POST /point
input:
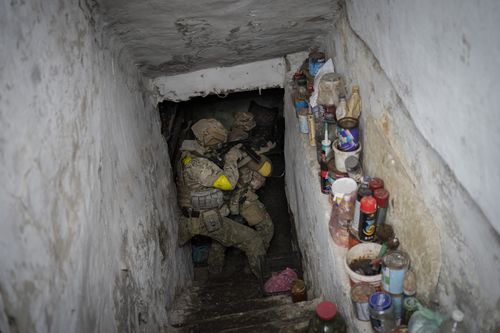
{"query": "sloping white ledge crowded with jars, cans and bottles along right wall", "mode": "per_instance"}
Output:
(340, 212)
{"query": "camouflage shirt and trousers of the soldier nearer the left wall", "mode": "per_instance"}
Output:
(200, 174)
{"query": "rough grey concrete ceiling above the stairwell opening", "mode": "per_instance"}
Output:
(168, 37)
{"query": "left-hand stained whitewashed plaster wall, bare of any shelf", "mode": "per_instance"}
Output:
(88, 208)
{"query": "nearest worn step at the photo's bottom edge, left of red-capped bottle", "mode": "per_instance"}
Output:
(272, 317)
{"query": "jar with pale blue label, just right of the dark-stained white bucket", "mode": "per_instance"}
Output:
(394, 267)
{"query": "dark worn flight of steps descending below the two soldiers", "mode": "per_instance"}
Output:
(236, 304)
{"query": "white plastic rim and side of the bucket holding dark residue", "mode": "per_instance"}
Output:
(363, 251)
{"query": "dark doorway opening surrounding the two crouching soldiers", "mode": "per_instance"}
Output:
(267, 107)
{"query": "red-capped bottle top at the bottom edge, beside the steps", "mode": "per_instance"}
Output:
(326, 319)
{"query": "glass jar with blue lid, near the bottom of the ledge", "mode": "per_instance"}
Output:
(382, 313)
